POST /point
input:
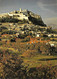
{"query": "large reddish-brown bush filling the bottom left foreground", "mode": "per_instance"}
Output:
(11, 67)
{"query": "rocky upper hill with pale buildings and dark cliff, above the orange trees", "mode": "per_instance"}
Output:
(23, 23)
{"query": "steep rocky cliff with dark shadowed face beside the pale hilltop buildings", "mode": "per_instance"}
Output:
(36, 19)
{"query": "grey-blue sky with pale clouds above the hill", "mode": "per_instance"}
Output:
(47, 9)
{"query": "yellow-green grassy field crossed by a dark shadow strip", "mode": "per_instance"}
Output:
(40, 60)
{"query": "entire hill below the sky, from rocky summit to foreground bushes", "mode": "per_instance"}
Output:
(28, 48)
